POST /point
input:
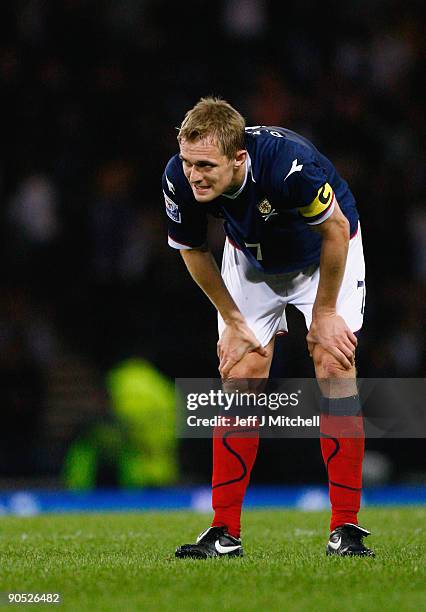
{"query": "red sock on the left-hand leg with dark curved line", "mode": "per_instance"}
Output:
(234, 453)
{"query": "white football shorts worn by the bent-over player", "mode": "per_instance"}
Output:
(262, 298)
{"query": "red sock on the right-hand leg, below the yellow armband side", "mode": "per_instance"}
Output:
(343, 460)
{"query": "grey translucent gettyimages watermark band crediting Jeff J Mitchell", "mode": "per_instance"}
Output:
(390, 408)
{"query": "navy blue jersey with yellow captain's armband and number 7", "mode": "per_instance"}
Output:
(288, 188)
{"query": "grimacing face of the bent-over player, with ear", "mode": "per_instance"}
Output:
(209, 172)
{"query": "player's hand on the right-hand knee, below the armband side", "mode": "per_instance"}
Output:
(332, 333)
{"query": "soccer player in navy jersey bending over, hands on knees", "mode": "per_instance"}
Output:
(292, 237)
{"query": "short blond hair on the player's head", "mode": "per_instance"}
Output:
(214, 118)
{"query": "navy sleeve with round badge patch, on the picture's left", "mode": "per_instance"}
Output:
(186, 219)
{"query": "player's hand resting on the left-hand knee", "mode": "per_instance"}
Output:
(235, 342)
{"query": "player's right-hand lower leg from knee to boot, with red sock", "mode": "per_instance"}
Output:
(342, 446)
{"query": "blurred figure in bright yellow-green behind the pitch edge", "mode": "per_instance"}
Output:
(138, 445)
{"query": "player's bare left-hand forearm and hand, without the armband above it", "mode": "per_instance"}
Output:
(237, 338)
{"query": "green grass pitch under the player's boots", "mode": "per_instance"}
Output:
(125, 562)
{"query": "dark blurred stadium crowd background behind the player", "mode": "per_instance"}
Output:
(97, 314)
